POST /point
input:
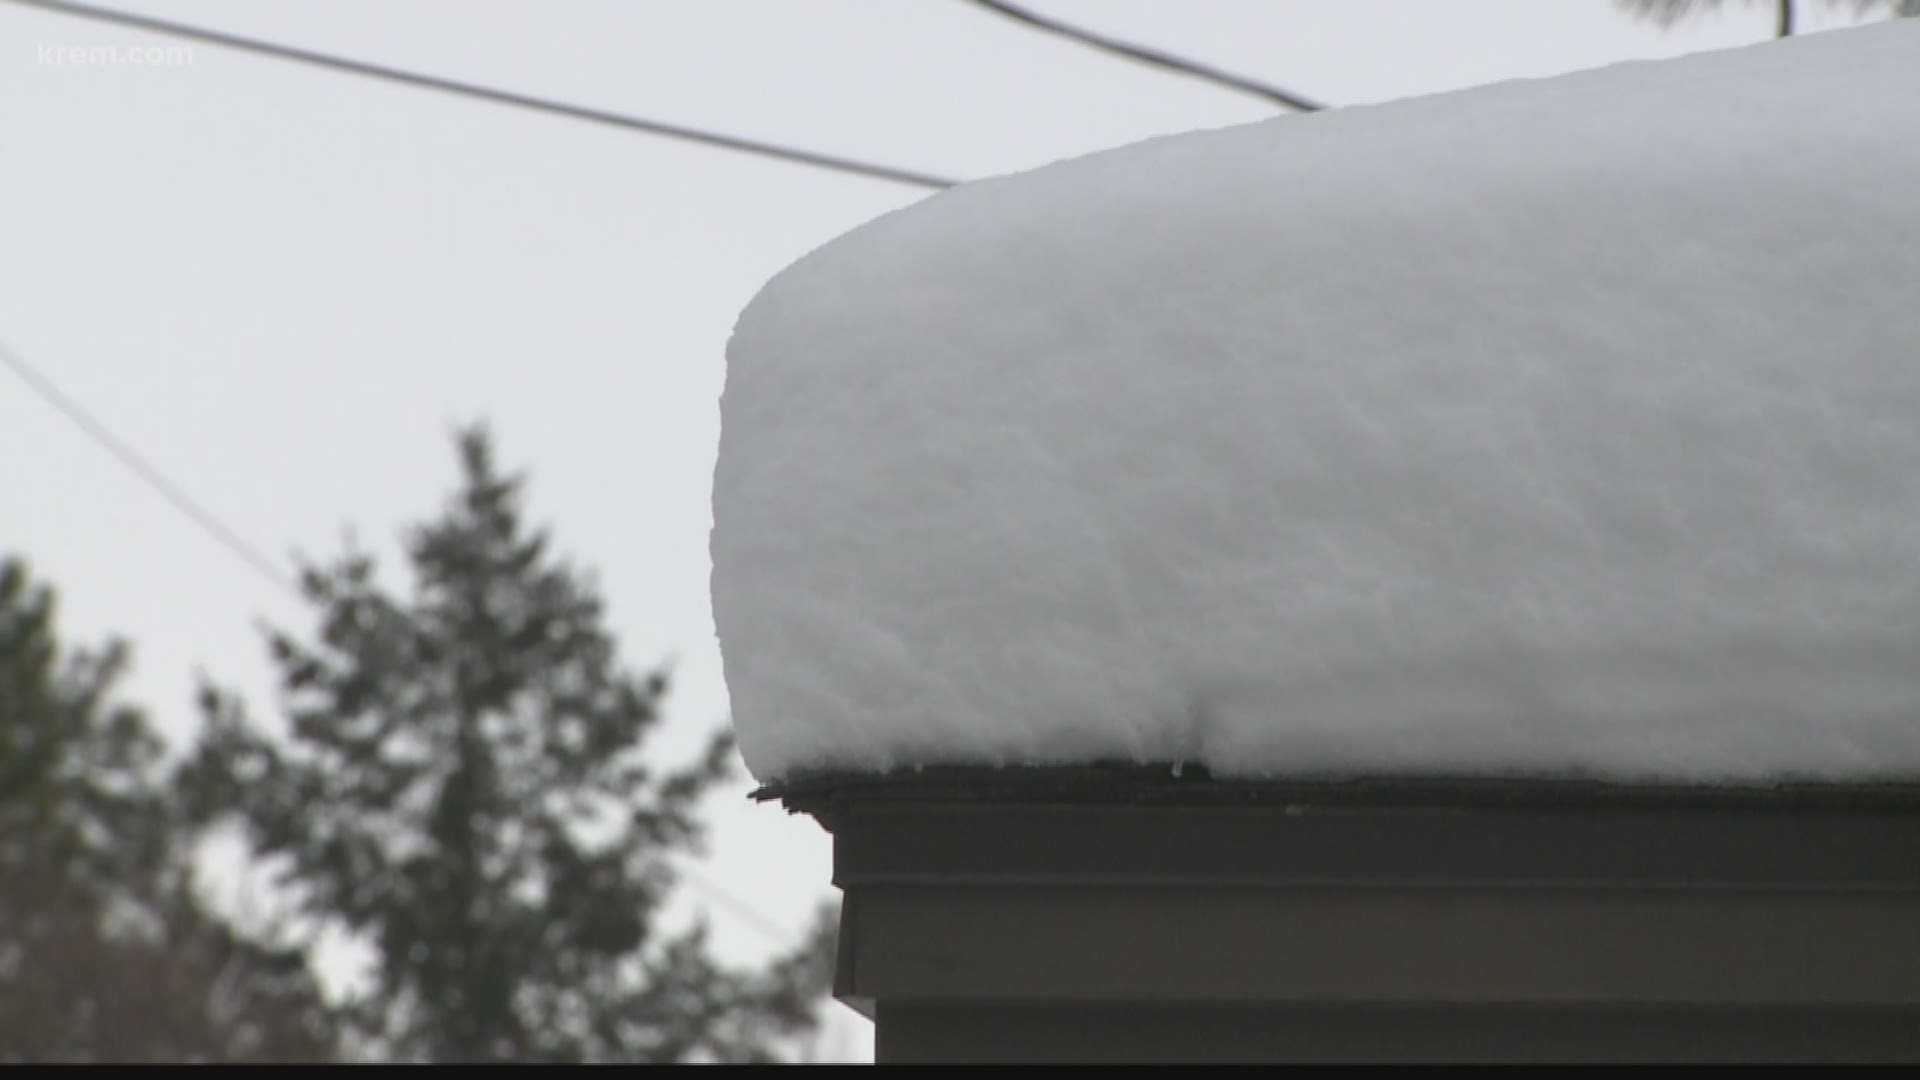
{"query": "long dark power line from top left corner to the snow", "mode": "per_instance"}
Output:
(794, 157)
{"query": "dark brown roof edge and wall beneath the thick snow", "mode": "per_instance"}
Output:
(1136, 916)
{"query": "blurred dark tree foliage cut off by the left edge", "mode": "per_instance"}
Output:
(105, 950)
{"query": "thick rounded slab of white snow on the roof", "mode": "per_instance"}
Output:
(1564, 428)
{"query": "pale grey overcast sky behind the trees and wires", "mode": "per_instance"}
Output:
(287, 287)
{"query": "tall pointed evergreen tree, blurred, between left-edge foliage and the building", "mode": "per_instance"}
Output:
(464, 787)
